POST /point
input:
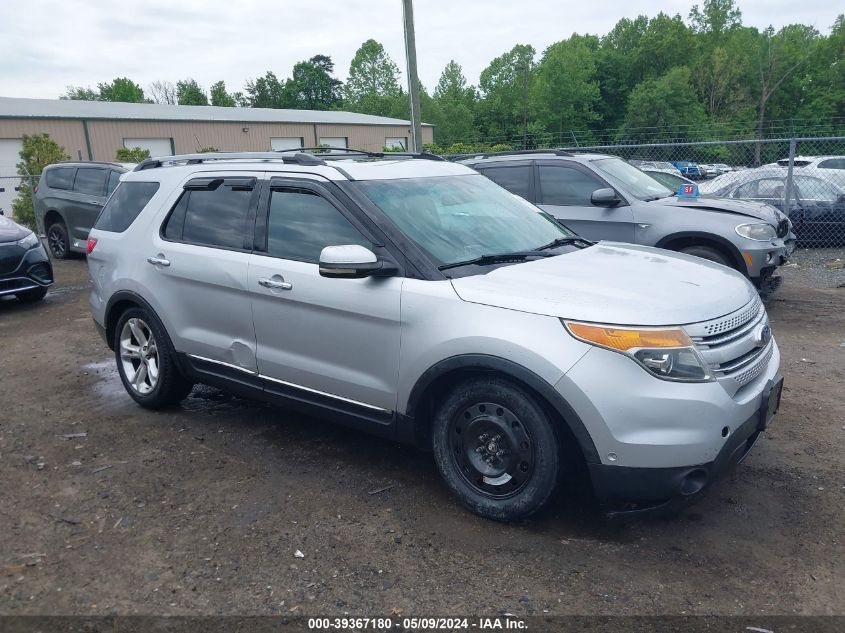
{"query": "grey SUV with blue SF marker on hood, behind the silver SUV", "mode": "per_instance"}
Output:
(603, 197)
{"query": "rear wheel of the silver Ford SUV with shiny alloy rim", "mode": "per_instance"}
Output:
(146, 361)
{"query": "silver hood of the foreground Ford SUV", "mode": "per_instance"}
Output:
(622, 284)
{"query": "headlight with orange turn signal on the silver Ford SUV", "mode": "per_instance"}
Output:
(666, 353)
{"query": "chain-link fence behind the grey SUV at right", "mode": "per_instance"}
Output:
(803, 177)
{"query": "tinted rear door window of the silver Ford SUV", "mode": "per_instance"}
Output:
(213, 217)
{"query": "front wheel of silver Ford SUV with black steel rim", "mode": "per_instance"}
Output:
(496, 449)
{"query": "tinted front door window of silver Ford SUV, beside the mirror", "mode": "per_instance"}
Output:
(302, 223)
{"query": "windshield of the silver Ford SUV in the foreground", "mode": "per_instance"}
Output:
(459, 218)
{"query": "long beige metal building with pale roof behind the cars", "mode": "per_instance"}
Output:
(94, 130)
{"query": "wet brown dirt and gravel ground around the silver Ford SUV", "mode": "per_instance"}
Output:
(110, 509)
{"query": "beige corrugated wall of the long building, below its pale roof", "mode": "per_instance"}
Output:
(188, 136)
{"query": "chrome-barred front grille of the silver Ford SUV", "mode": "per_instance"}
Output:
(735, 346)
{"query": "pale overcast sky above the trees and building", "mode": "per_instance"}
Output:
(46, 45)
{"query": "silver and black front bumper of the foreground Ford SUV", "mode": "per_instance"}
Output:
(661, 443)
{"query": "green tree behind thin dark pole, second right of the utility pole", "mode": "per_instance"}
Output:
(505, 109)
